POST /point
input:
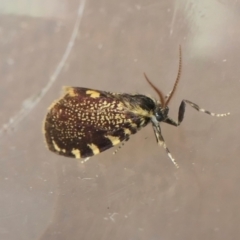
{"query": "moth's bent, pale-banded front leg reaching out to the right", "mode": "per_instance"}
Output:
(181, 112)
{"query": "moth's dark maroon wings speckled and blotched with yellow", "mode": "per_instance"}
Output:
(85, 122)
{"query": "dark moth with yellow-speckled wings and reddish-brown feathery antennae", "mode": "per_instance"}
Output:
(85, 122)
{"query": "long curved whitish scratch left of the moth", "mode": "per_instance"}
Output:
(29, 103)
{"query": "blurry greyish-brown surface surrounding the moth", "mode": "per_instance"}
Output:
(138, 193)
